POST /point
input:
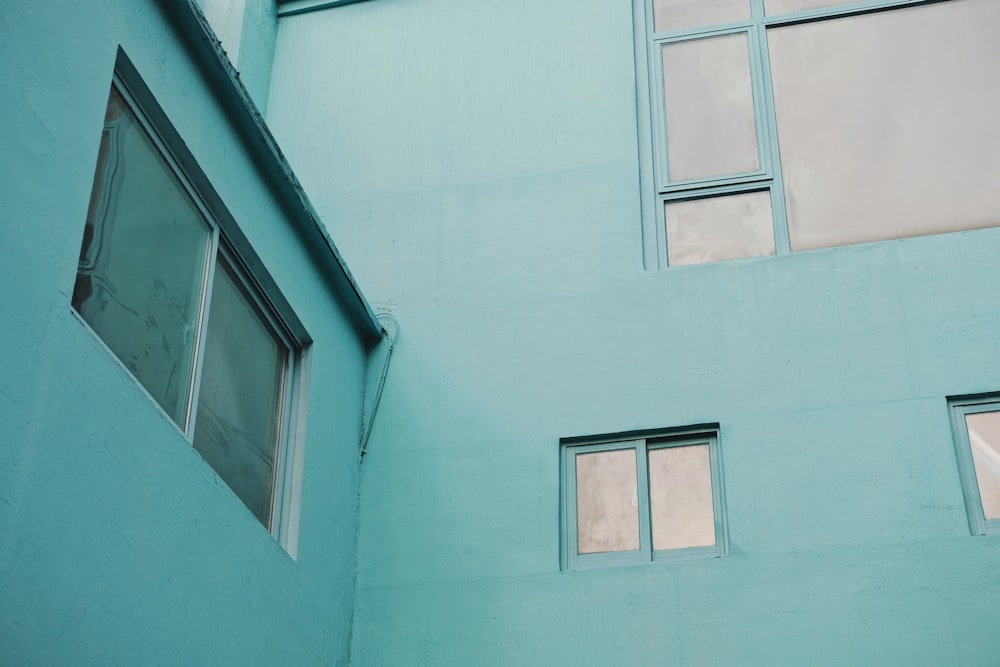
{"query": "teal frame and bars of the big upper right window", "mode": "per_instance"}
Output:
(656, 190)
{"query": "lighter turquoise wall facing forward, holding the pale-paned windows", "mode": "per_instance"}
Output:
(477, 163)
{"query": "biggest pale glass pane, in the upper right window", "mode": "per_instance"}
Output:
(887, 123)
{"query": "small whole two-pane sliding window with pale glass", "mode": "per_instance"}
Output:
(642, 497)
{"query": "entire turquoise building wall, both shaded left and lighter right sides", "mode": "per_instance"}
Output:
(478, 165)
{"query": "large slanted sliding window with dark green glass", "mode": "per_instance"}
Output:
(163, 285)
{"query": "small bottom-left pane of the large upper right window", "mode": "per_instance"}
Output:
(719, 228)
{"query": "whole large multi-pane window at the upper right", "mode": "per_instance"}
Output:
(784, 125)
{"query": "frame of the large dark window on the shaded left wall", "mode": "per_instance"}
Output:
(227, 244)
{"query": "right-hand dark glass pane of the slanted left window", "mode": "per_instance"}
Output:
(241, 395)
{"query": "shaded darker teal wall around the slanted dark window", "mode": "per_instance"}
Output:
(118, 544)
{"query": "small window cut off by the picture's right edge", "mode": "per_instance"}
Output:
(975, 424)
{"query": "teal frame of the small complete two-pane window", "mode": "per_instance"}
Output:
(642, 442)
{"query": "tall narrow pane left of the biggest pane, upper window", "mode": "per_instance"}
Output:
(709, 105)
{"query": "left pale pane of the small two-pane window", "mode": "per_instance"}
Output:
(607, 504)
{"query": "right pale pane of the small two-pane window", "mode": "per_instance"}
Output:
(680, 497)
